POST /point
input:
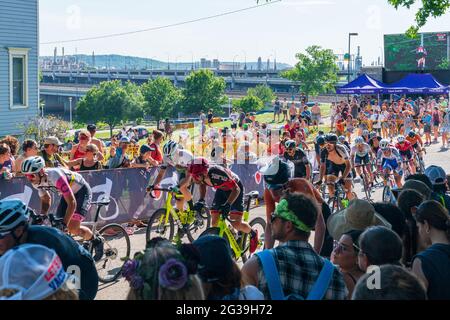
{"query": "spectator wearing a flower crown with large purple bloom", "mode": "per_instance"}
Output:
(162, 272)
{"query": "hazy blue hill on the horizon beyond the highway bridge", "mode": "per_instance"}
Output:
(129, 62)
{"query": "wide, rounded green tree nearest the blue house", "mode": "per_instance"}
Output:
(111, 102)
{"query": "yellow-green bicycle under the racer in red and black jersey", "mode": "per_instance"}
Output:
(239, 242)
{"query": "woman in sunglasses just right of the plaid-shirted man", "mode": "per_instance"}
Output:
(345, 255)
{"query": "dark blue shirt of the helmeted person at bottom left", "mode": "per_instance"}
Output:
(71, 254)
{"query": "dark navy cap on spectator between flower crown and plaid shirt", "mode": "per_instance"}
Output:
(215, 258)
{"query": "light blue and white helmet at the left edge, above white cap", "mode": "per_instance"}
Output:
(12, 213)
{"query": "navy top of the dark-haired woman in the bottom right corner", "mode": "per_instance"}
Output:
(435, 266)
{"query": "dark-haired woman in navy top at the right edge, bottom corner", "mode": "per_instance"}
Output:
(432, 265)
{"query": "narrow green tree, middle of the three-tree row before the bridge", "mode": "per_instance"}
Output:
(161, 98)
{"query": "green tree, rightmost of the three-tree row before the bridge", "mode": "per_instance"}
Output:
(203, 91)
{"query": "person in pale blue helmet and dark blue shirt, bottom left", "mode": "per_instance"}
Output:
(15, 230)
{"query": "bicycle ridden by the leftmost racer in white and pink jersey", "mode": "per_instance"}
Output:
(110, 258)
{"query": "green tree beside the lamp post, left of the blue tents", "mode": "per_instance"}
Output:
(316, 71)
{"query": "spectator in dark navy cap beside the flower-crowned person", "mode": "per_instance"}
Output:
(220, 275)
